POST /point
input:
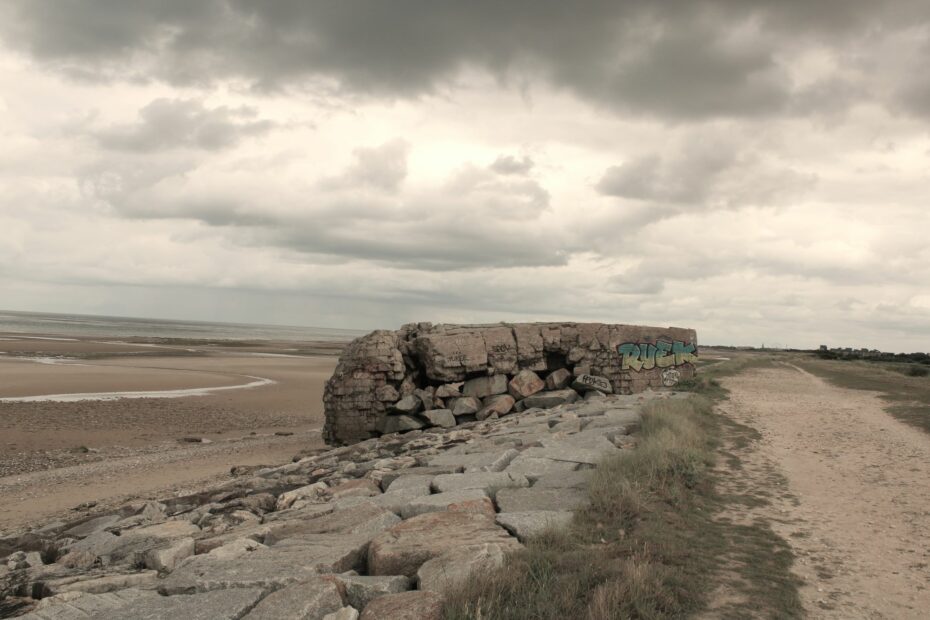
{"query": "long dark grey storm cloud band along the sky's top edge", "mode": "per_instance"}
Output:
(672, 59)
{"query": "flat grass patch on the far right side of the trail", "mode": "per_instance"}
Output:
(906, 392)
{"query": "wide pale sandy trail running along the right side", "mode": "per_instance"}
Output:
(859, 518)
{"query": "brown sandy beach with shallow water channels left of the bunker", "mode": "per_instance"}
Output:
(86, 420)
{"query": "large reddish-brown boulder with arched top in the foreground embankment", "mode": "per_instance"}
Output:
(402, 549)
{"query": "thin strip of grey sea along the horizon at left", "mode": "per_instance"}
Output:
(79, 325)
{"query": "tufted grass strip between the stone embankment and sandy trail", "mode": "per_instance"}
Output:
(647, 545)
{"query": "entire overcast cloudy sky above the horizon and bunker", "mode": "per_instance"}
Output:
(755, 170)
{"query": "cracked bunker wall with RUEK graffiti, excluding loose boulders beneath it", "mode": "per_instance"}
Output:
(381, 368)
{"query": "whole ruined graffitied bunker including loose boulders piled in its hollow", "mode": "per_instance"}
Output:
(426, 375)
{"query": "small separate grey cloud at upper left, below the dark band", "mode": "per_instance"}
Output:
(176, 123)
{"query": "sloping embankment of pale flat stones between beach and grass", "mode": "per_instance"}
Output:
(381, 528)
